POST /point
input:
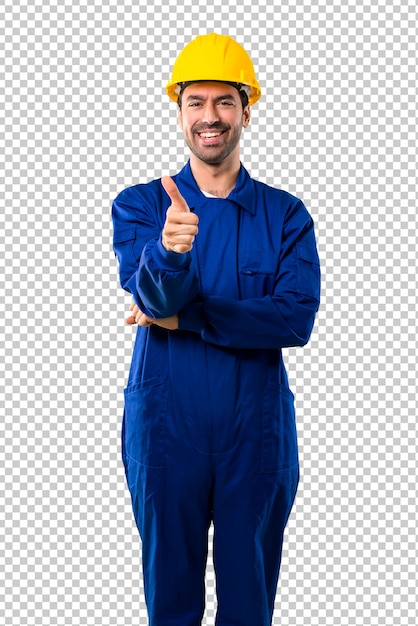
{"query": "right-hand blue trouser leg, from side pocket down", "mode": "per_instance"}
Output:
(256, 480)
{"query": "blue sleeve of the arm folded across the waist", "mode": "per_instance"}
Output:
(281, 319)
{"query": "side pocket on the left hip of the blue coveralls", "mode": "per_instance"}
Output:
(145, 421)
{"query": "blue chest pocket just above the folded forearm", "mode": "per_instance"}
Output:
(257, 274)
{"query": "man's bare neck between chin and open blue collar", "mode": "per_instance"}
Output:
(217, 179)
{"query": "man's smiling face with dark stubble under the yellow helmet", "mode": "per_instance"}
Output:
(212, 118)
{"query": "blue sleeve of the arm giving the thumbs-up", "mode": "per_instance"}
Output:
(161, 282)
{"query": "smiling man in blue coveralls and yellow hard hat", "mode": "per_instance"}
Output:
(224, 273)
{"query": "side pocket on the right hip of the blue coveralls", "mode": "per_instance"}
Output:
(279, 440)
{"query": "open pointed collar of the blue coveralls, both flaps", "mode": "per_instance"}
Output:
(243, 193)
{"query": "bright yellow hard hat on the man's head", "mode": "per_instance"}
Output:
(214, 57)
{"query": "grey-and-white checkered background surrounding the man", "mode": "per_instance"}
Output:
(83, 115)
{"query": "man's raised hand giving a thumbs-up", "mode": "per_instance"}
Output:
(180, 228)
